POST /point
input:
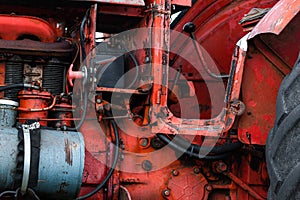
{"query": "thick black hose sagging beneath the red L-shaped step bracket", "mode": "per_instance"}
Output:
(190, 150)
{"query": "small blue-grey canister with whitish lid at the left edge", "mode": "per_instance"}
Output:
(8, 112)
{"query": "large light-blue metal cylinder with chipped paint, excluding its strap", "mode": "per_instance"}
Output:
(61, 162)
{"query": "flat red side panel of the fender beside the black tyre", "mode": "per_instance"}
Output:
(269, 60)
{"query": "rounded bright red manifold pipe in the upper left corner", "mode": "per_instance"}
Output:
(20, 27)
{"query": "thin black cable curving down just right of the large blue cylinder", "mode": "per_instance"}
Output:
(113, 166)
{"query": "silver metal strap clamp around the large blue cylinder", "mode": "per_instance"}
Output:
(27, 154)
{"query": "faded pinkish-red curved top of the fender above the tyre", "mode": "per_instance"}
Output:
(277, 18)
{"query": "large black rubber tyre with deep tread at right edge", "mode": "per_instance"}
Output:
(282, 152)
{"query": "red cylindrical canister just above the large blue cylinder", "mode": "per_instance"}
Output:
(30, 100)
